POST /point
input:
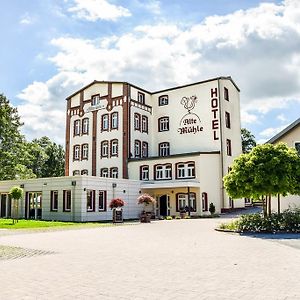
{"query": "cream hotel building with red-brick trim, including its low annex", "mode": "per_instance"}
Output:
(175, 144)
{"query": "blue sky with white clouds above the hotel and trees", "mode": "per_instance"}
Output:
(52, 48)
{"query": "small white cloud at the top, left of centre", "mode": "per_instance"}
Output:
(93, 10)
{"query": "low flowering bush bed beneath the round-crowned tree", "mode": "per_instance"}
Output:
(288, 221)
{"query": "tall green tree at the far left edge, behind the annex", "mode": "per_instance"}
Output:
(12, 154)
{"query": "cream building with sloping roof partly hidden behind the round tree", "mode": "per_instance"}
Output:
(291, 136)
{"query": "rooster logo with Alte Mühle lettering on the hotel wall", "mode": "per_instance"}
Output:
(190, 122)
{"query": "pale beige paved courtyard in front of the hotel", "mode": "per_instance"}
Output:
(178, 259)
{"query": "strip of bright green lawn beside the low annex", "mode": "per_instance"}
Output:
(35, 224)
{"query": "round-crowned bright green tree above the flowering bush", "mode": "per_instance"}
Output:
(267, 170)
